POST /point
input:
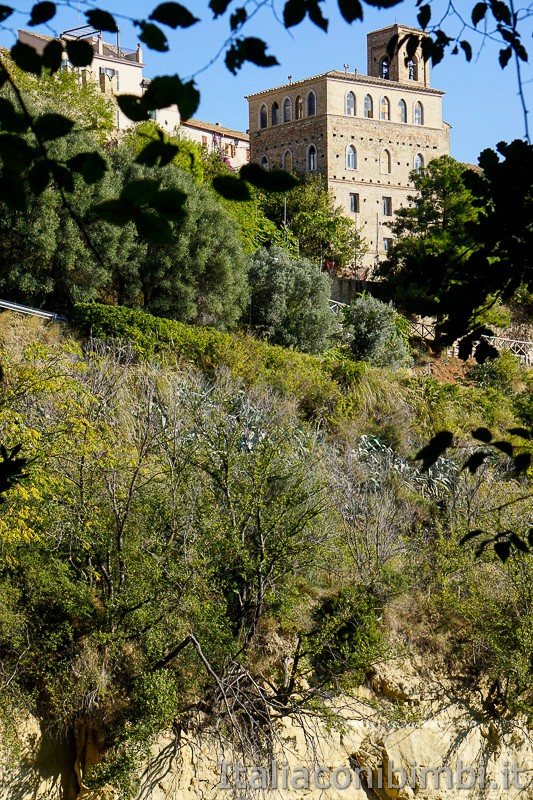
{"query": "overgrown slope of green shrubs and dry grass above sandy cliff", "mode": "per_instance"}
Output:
(213, 533)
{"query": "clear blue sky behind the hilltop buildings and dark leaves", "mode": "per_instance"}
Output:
(481, 101)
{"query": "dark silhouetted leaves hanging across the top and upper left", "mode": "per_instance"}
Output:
(20, 157)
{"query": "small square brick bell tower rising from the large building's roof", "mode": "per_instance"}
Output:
(379, 65)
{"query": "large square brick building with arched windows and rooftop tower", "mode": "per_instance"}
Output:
(364, 133)
